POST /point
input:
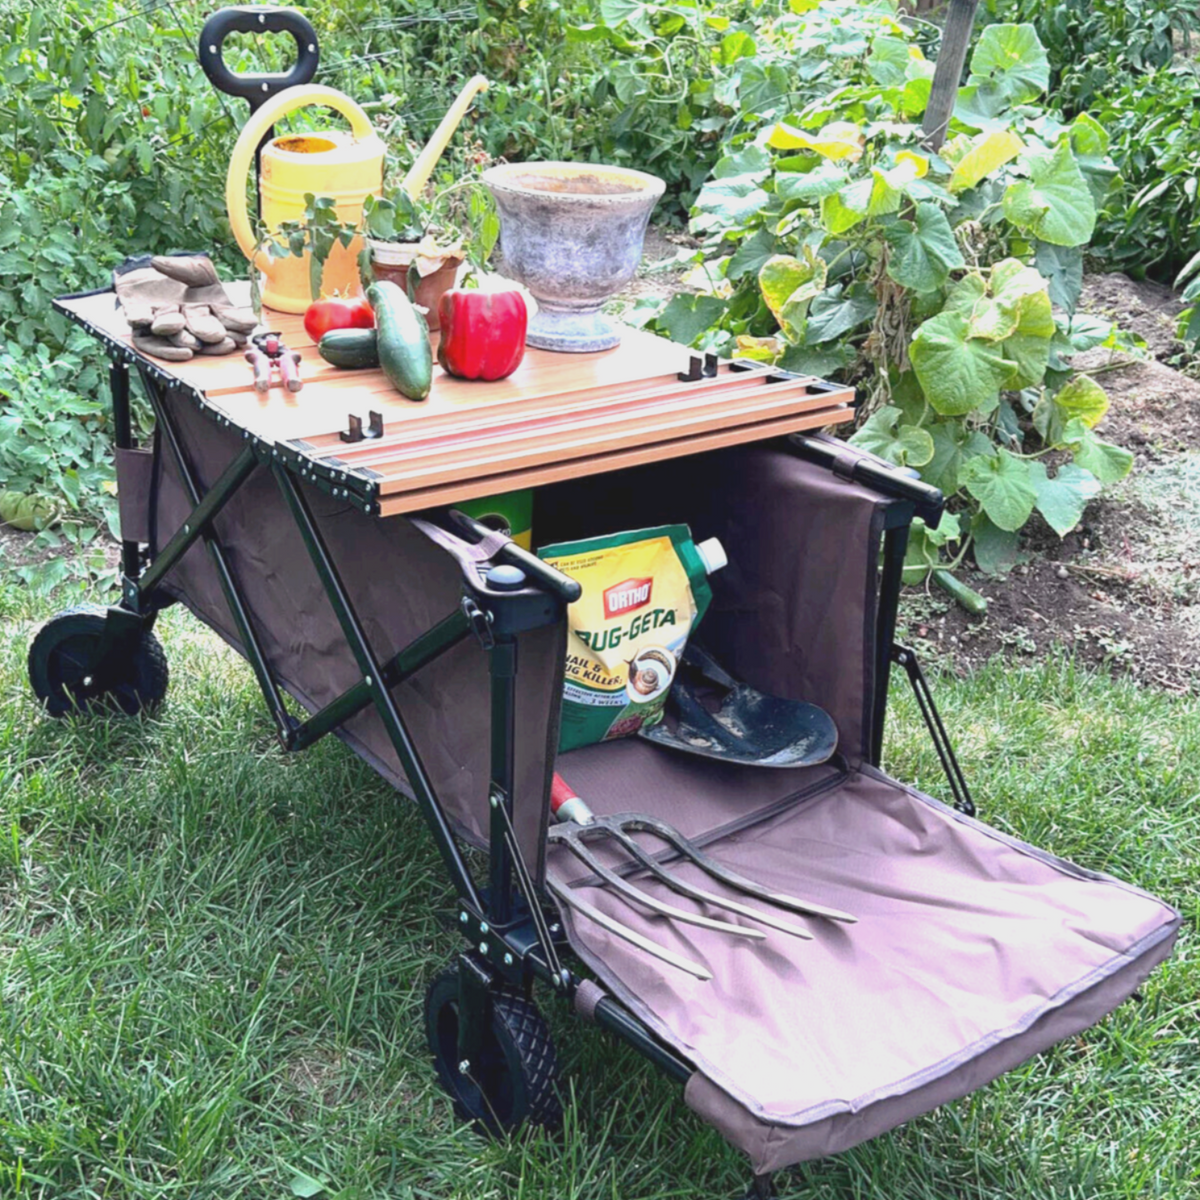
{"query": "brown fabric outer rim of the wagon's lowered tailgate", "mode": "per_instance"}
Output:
(772, 1148)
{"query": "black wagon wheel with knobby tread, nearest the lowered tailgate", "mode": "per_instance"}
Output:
(514, 1079)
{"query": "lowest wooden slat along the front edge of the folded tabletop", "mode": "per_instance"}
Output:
(597, 465)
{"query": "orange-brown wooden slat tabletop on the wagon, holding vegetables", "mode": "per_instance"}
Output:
(557, 417)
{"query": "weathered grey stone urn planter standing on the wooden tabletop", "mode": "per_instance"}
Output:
(572, 233)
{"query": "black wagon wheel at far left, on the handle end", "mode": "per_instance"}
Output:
(63, 669)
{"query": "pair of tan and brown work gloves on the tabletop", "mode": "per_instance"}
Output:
(177, 308)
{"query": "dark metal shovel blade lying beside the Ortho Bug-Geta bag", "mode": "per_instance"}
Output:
(713, 716)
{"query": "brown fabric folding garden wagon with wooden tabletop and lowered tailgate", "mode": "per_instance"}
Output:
(316, 533)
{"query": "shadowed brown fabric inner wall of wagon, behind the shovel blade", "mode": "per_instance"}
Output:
(794, 611)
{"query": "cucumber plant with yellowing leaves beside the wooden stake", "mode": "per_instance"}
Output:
(838, 242)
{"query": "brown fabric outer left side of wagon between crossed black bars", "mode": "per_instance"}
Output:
(401, 585)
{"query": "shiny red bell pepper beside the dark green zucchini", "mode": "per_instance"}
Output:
(483, 333)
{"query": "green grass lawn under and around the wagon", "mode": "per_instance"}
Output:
(213, 961)
